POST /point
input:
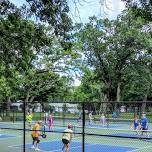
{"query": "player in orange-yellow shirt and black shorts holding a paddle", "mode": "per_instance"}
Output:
(35, 135)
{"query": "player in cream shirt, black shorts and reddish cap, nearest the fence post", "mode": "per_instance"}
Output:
(67, 137)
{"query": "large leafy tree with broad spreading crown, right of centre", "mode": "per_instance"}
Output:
(112, 46)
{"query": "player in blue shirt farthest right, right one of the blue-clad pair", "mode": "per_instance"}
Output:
(144, 123)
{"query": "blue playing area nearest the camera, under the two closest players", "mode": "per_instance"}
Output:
(55, 146)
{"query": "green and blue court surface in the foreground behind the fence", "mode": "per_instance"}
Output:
(12, 140)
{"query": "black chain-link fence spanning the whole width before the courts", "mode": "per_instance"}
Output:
(96, 126)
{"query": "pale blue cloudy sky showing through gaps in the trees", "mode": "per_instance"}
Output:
(86, 8)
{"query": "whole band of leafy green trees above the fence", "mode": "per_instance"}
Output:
(38, 42)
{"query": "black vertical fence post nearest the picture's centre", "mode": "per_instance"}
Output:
(83, 128)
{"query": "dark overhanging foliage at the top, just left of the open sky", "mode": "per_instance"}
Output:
(55, 13)
